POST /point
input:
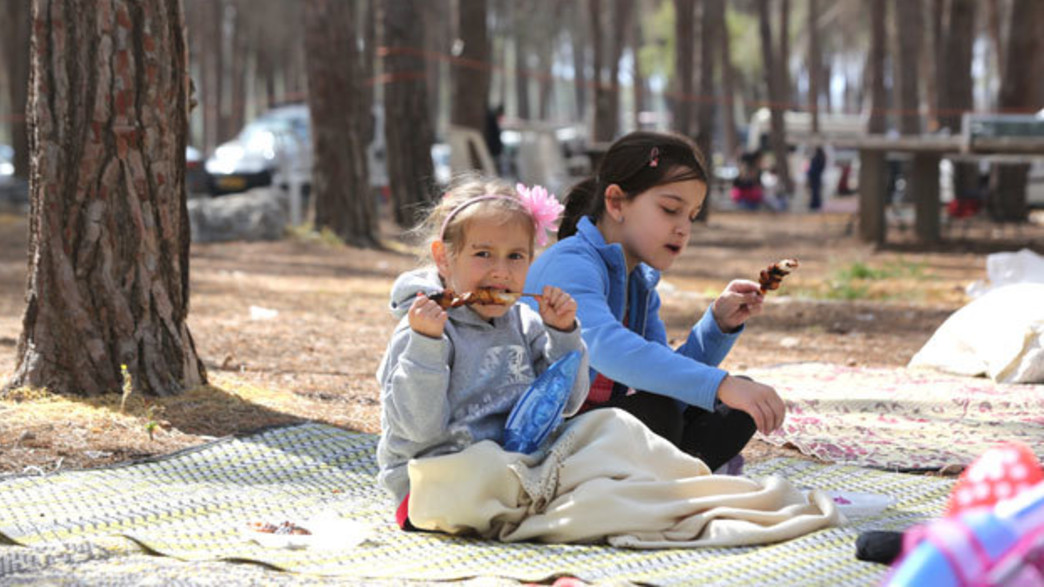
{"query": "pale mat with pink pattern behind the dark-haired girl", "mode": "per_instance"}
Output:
(900, 419)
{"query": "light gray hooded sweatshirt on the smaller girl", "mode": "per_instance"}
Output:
(442, 395)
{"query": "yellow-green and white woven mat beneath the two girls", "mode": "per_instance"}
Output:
(192, 506)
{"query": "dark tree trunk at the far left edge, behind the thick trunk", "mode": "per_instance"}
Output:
(15, 49)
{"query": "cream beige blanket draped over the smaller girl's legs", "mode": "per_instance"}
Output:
(607, 478)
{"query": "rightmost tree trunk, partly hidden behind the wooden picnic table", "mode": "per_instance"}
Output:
(1019, 92)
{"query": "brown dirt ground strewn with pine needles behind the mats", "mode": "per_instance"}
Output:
(294, 331)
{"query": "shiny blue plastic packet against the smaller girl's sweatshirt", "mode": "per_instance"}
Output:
(538, 413)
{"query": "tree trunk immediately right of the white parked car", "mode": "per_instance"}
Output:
(341, 182)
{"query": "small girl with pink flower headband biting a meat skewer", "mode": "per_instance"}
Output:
(450, 379)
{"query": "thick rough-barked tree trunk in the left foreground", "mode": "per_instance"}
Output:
(109, 238)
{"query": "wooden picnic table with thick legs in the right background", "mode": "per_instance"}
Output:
(1003, 138)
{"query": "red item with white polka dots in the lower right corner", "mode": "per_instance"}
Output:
(1000, 474)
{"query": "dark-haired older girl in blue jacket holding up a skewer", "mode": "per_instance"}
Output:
(621, 229)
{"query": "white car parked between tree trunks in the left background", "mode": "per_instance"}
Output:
(274, 149)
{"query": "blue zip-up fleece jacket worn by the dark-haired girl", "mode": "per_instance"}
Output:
(636, 356)
